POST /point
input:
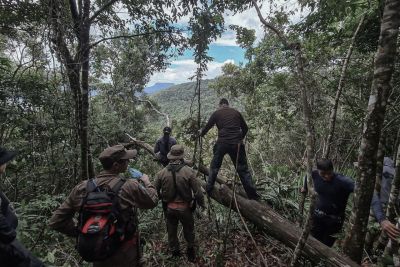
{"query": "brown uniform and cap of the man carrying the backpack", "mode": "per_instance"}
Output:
(131, 196)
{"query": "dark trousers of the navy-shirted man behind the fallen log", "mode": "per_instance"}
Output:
(324, 227)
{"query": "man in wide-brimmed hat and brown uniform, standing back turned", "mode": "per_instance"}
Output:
(178, 187)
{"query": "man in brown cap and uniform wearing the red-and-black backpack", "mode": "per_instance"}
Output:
(134, 193)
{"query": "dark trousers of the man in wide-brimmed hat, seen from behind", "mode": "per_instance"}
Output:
(175, 216)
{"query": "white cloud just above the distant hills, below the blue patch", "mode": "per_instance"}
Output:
(181, 70)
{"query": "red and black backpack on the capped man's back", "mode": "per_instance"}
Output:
(101, 228)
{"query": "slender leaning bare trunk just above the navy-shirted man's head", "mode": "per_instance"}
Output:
(333, 114)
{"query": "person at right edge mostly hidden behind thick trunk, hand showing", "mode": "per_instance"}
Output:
(380, 200)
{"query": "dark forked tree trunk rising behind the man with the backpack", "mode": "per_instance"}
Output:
(77, 69)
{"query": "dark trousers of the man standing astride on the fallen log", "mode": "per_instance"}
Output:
(239, 157)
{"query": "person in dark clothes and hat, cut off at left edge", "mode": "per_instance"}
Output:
(12, 253)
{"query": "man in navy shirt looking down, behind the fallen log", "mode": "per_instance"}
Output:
(333, 191)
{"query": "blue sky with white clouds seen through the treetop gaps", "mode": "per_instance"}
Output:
(223, 50)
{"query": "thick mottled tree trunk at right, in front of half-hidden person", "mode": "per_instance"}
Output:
(381, 87)
